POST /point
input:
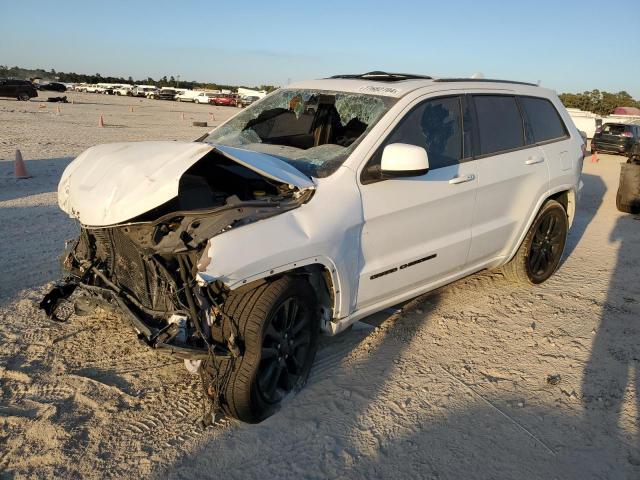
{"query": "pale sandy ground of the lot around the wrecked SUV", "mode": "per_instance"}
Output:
(450, 385)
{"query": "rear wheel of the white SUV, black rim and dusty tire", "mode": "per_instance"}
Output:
(541, 250)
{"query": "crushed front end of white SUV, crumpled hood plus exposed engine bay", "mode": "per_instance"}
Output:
(147, 266)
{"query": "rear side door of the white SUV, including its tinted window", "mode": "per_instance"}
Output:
(512, 175)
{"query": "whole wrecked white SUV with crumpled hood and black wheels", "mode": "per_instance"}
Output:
(322, 203)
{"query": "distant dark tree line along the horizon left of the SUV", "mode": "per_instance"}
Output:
(71, 77)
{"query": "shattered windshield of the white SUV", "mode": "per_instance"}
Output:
(313, 130)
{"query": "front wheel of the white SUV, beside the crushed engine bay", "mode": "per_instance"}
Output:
(271, 357)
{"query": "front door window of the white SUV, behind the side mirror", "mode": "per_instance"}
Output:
(435, 125)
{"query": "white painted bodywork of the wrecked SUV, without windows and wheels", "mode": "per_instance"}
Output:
(471, 216)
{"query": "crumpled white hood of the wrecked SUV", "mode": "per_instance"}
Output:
(113, 183)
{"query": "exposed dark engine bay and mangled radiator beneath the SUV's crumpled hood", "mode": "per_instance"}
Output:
(148, 267)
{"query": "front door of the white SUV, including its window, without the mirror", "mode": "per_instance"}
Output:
(418, 229)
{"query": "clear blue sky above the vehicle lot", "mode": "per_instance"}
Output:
(562, 44)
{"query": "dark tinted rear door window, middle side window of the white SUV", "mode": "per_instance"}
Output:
(499, 123)
